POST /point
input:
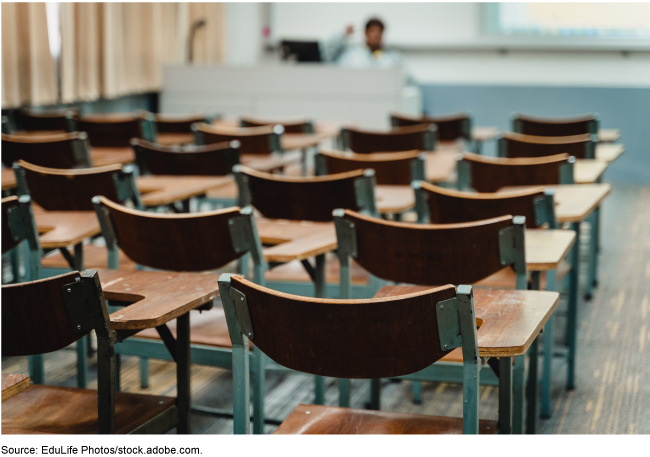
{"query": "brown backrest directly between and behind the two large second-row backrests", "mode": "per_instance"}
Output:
(305, 198)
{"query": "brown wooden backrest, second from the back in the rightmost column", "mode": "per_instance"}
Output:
(520, 145)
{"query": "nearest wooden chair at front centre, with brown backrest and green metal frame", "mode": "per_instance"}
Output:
(374, 338)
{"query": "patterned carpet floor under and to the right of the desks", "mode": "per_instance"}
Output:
(612, 379)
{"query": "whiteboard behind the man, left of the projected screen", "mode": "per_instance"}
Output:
(406, 23)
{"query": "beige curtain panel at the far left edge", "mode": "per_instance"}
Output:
(28, 70)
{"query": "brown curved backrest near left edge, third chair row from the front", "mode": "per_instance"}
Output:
(70, 190)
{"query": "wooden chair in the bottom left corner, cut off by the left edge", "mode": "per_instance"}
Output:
(50, 314)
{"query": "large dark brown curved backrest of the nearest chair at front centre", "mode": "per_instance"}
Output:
(372, 338)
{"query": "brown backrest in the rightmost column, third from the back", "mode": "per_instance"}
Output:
(488, 174)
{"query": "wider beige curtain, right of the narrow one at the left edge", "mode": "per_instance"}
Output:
(114, 49)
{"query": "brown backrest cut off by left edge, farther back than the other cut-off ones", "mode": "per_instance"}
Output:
(66, 150)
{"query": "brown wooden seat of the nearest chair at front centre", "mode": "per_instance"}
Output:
(326, 420)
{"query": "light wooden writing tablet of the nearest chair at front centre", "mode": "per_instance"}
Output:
(512, 319)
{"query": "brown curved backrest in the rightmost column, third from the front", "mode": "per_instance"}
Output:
(448, 206)
